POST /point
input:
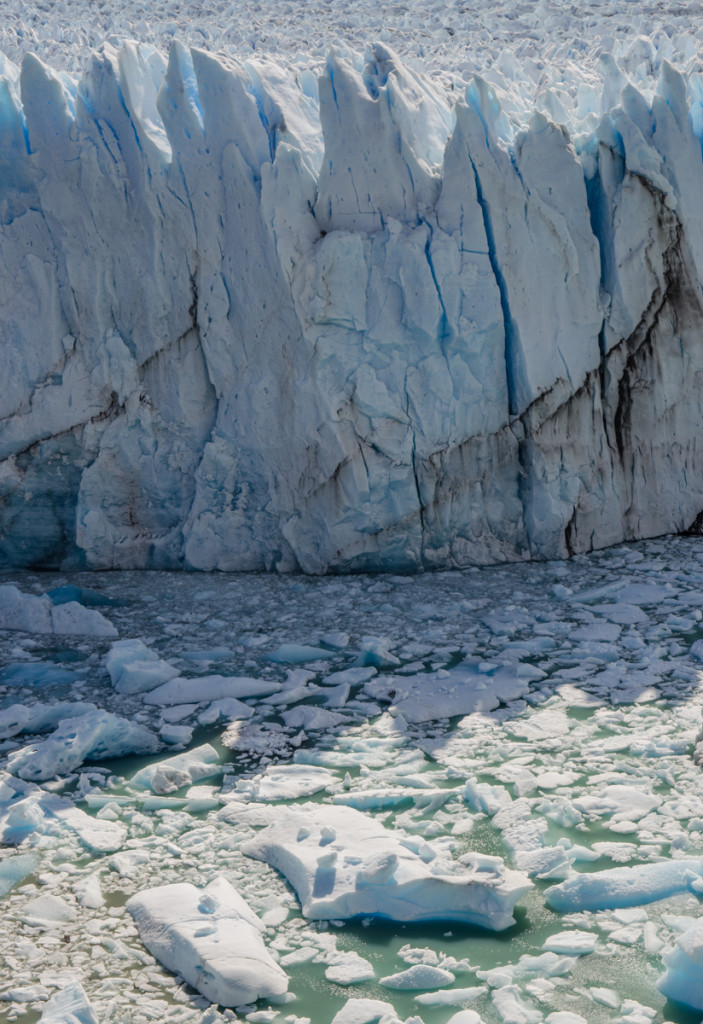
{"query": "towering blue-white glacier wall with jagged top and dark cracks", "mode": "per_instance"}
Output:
(252, 321)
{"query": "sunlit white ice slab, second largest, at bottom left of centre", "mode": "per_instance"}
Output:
(212, 938)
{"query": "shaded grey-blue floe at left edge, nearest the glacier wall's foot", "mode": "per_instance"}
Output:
(33, 614)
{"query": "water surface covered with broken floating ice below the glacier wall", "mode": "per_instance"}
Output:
(323, 766)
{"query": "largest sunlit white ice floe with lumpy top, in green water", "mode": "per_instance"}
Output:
(345, 865)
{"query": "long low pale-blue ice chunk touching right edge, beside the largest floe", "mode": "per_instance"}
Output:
(624, 887)
